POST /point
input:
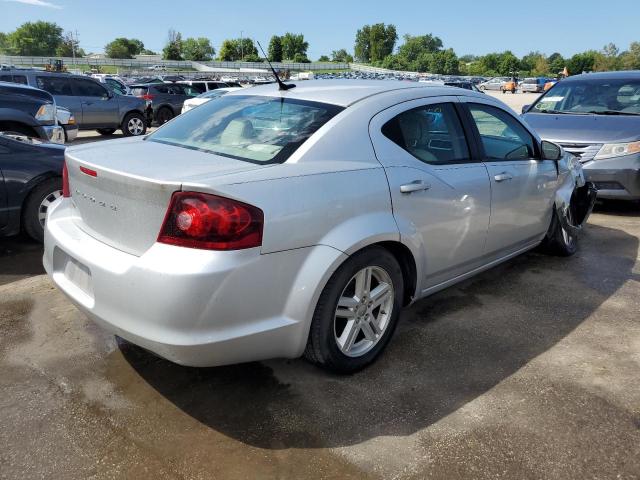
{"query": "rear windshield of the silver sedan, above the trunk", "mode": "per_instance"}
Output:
(251, 128)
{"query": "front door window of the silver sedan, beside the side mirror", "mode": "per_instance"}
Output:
(503, 137)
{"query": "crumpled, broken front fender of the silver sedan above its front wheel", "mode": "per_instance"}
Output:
(575, 197)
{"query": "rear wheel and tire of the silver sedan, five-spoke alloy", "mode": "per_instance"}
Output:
(349, 340)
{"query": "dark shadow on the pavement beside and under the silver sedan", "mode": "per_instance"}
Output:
(449, 349)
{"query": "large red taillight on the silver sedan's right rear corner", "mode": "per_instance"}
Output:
(200, 220)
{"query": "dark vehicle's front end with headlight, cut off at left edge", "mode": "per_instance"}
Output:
(29, 111)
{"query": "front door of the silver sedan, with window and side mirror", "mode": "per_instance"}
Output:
(522, 185)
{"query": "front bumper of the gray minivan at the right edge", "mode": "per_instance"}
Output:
(615, 178)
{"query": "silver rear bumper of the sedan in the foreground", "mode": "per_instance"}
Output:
(193, 307)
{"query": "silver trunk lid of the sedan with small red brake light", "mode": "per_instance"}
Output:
(121, 189)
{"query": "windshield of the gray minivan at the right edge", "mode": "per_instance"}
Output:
(591, 96)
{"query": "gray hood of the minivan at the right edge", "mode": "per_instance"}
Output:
(566, 128)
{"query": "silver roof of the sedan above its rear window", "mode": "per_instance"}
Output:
(343, 92)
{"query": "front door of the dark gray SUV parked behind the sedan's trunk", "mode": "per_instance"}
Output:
(99, 106)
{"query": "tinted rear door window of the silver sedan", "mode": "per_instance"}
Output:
(432, 134)
